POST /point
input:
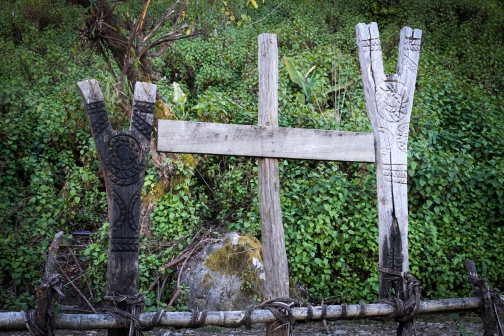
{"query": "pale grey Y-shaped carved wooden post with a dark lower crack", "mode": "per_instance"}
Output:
(389, 100)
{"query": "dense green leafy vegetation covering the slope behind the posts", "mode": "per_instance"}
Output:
(51, 179)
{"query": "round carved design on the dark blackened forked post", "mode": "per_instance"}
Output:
(126, 164)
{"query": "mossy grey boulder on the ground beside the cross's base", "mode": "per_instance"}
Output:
(225, 275)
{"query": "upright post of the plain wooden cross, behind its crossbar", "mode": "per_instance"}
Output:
(272, 231)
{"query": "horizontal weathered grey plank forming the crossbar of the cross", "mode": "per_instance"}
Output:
(268, 142)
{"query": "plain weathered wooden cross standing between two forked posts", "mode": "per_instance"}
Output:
(268, 142)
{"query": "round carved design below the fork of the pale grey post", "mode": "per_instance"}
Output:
(392, 100)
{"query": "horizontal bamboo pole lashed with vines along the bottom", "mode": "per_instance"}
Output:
(15, 320)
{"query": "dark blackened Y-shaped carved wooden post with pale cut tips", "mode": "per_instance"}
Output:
(123, 157)
